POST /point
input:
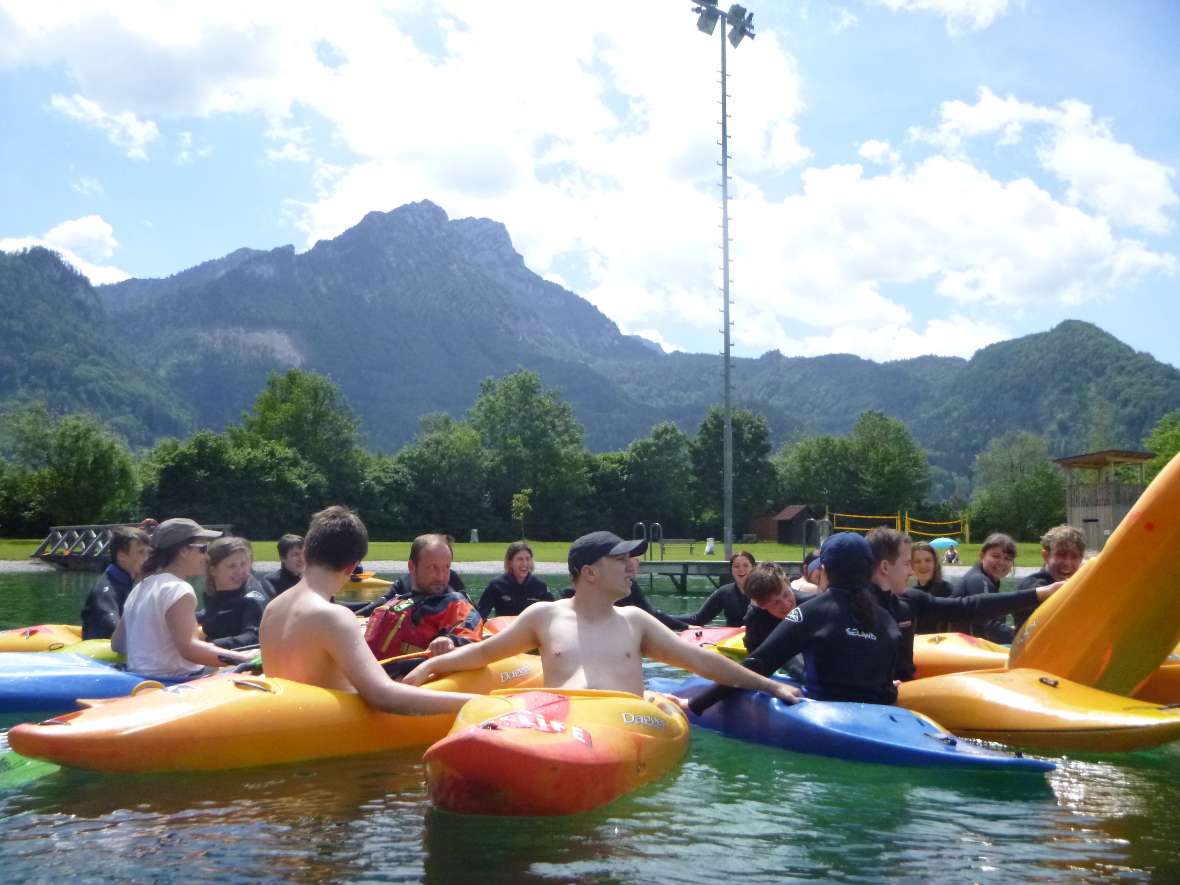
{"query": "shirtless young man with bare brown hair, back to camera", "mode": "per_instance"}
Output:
(307, 639)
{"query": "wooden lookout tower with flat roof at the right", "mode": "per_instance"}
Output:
(1100, 489)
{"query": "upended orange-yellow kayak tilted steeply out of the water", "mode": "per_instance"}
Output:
(1117, 620)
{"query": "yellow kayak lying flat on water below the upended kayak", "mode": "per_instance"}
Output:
(1033, 709)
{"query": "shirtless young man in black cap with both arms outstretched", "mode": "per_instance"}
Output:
(587, 643)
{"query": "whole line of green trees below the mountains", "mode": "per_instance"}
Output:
(515, 464)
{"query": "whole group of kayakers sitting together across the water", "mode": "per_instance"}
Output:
(851, 615)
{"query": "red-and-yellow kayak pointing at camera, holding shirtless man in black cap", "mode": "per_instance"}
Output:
(554, 751)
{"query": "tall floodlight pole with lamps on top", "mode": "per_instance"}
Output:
(740, 24)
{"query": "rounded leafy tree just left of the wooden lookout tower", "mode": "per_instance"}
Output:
(1018, 489)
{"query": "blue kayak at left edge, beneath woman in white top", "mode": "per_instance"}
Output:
(54, 684)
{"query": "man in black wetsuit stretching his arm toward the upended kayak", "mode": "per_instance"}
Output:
(909, 606)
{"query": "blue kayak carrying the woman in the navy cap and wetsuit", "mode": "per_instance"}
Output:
(858, 732)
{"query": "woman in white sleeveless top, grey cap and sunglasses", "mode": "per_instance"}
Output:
(158, 631)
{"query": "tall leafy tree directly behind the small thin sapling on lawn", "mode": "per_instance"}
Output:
(533, 441)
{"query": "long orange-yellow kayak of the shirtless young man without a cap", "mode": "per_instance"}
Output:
(239, 722)
